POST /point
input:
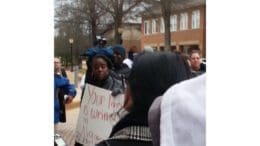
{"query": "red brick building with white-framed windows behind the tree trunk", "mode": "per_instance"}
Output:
(188, 28)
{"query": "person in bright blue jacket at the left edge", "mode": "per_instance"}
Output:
(61, 83)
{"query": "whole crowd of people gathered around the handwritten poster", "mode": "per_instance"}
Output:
(164, 94)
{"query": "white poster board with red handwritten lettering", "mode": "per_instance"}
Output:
(97, 115)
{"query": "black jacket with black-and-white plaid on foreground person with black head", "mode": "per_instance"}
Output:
(132, 130)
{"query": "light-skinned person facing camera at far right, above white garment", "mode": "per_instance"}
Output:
(195, 63)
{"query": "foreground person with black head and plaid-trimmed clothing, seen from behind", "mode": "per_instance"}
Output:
(152, 74)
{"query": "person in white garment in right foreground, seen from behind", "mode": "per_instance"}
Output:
(182, 114)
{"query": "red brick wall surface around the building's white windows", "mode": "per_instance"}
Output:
(197, 35)
